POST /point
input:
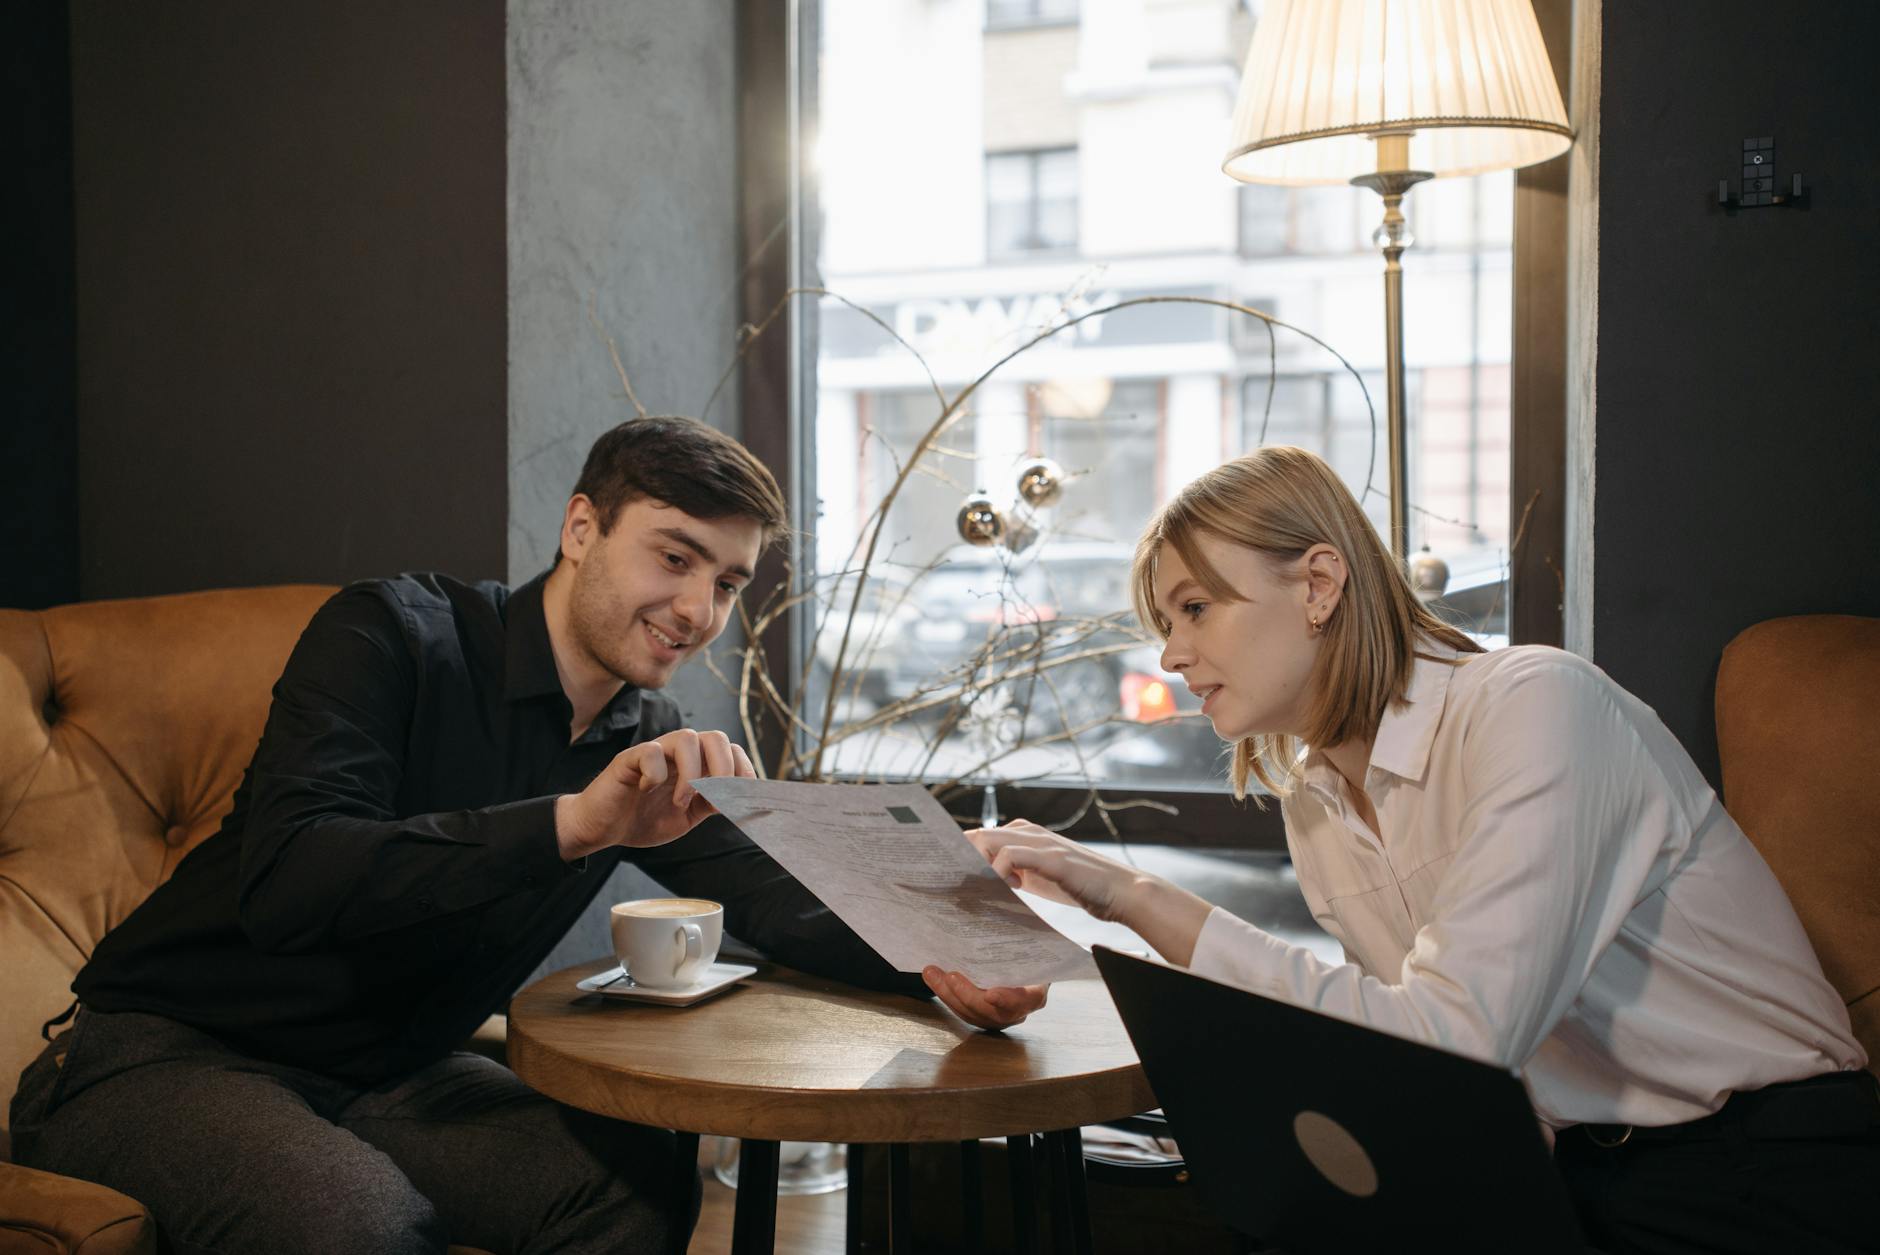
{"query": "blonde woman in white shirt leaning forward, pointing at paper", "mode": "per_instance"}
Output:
(1520, 861)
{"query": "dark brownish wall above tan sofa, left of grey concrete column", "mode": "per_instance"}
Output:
(290, 290)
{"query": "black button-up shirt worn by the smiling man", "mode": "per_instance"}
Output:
(390, 875)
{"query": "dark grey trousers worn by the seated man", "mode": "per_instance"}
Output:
(236, 1154)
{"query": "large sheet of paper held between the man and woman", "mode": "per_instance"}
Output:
(896, 869)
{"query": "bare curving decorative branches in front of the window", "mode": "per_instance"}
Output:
(1026, 653)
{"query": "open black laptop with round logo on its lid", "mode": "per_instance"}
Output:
(1315, 1134)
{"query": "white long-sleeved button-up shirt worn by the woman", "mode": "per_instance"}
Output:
(1556, 890)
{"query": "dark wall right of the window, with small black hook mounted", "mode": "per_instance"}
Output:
(1738, 441)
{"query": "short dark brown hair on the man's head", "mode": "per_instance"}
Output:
(680, 463)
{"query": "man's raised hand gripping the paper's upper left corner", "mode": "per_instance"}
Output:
(646, 798)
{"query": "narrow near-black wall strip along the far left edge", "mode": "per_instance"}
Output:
(39, 431)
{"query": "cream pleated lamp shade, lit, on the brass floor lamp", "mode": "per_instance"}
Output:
(1469, 82)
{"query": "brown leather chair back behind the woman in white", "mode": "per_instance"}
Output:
(1798, 732)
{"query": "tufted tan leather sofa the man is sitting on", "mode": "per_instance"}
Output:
(125, 728)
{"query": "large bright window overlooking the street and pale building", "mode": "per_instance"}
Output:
(979, 187)
